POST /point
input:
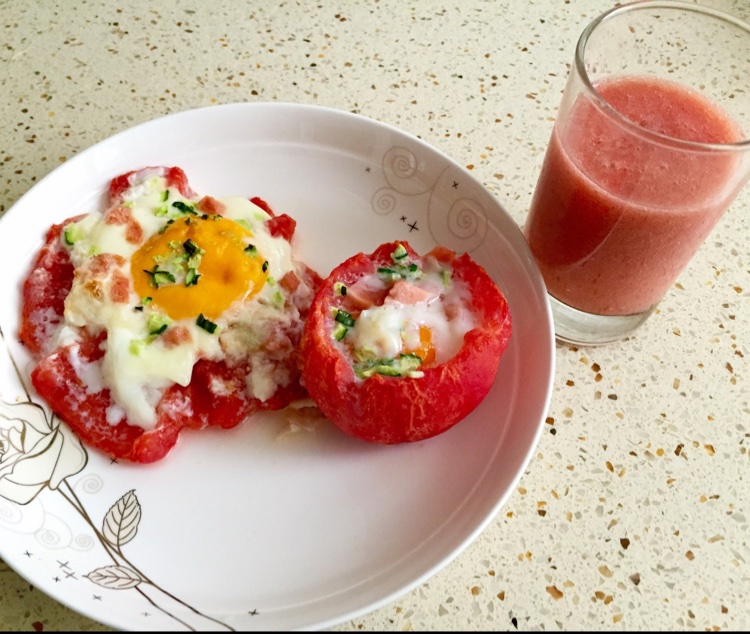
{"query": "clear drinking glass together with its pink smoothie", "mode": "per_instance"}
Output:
(649, 148)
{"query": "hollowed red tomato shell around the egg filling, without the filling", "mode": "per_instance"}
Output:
(389, 410)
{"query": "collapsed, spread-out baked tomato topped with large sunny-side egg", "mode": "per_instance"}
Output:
(165, 310)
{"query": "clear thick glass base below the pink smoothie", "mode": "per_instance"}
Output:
(584, 329)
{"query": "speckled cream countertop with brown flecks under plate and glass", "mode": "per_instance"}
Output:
(633, 512)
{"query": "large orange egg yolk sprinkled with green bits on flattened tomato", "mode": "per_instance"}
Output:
(210, 263)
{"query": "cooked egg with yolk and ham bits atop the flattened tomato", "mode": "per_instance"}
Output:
(171, 285)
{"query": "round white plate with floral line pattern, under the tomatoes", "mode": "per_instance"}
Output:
(252, 528)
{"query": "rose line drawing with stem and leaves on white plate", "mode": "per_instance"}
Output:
(39, 452)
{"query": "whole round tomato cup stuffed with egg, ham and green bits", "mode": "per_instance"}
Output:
(399, 347)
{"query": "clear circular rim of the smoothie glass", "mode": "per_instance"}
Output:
(602, 103)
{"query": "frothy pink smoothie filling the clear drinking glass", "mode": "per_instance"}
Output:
(615, 217)
